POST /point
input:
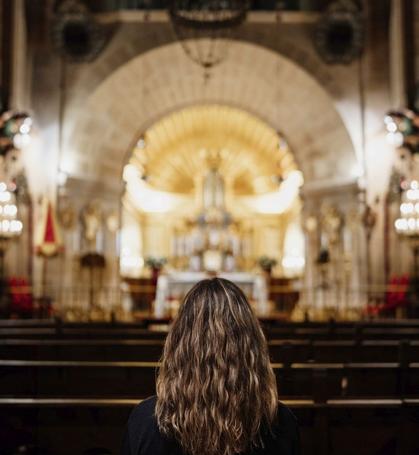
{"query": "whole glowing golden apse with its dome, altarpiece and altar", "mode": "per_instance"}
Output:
(211, 189)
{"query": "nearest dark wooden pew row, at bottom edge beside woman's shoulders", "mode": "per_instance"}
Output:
(345, 427)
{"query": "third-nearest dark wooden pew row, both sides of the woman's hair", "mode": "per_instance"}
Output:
(285, 351)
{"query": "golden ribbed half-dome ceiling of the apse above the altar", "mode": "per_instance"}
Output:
(175, 151)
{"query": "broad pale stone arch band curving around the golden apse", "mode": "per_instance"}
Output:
(102, 133)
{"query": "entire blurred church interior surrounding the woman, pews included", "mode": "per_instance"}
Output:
(146, 145)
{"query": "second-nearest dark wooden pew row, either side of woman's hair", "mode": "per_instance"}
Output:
(120, 379)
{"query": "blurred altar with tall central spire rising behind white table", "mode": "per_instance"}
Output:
(216, 238)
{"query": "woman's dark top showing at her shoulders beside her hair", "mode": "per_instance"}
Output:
(143, 436)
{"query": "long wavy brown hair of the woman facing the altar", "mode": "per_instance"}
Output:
(216, 391)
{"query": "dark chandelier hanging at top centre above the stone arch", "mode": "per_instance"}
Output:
(204, 27)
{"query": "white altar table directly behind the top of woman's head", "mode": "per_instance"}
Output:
(175, 286)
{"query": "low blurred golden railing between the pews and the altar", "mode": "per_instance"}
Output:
(83, 303)
